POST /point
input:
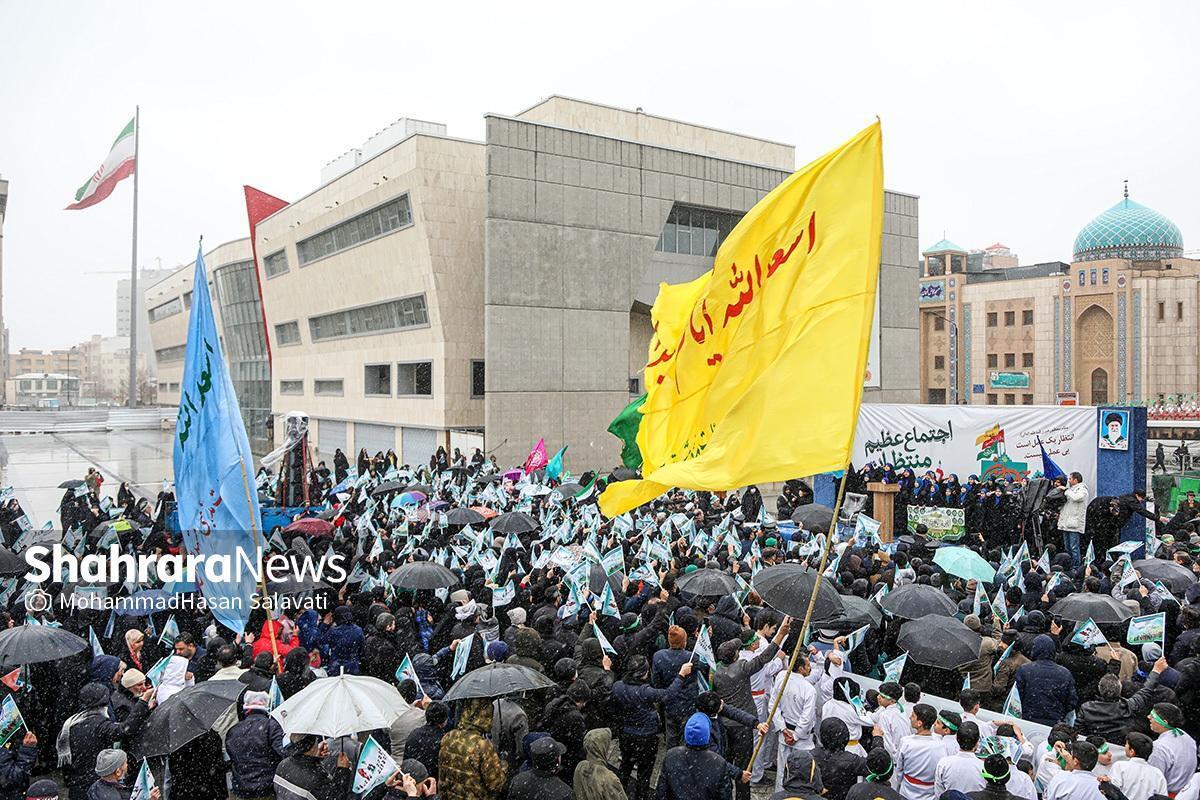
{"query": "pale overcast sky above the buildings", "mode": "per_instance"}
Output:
(1013, 122)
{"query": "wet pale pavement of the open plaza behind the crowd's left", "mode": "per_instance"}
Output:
(35, 465)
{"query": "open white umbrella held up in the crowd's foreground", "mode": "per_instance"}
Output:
(340, 707)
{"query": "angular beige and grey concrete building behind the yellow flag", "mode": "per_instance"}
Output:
(435, 290)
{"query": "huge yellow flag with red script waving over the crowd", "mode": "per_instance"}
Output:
(755, 371)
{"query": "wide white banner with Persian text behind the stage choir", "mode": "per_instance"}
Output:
(979, 441)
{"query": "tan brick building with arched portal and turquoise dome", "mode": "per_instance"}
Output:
(1115, 326)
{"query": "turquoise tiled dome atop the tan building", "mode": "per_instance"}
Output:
(1130, 231)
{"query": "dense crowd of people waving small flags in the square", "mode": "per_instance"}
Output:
(655, 690)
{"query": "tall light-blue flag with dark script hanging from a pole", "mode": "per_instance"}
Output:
(214, 467)
